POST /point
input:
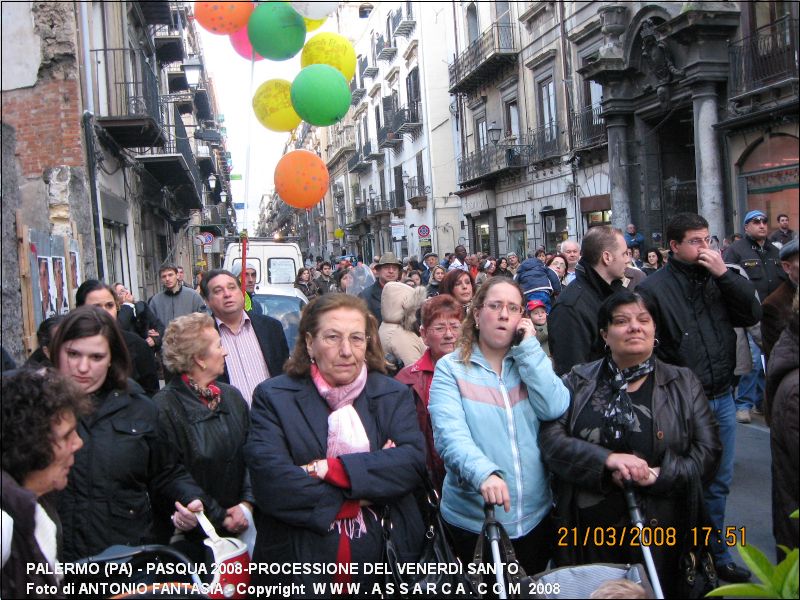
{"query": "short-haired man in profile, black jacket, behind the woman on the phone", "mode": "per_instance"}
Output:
(572, 324)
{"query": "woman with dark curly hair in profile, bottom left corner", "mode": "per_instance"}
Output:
(40, 411)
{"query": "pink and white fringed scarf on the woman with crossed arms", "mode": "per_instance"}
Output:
(346, 433)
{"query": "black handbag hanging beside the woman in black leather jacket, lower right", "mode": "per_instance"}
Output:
(696, 572)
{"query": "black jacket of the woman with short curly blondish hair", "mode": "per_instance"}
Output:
(210, 444)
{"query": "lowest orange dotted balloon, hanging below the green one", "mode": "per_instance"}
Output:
(301, 178)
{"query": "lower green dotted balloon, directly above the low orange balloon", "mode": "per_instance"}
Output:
(320, 95)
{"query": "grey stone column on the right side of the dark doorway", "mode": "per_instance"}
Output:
(708, 165)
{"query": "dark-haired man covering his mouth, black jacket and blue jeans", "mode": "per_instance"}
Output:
(698, 302)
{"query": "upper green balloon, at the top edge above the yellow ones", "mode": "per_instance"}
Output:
(276, 30)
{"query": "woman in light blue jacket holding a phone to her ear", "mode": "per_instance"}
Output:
(487, 401)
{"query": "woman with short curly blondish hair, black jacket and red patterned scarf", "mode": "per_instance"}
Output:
(207, 424)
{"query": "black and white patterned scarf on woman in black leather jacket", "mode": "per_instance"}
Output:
(618, 417)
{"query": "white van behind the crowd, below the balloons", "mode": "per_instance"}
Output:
(276, 263)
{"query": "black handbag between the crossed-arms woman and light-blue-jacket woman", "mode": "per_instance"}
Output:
(436, 551)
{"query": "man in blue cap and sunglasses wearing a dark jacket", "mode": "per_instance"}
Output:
(757, 255)
